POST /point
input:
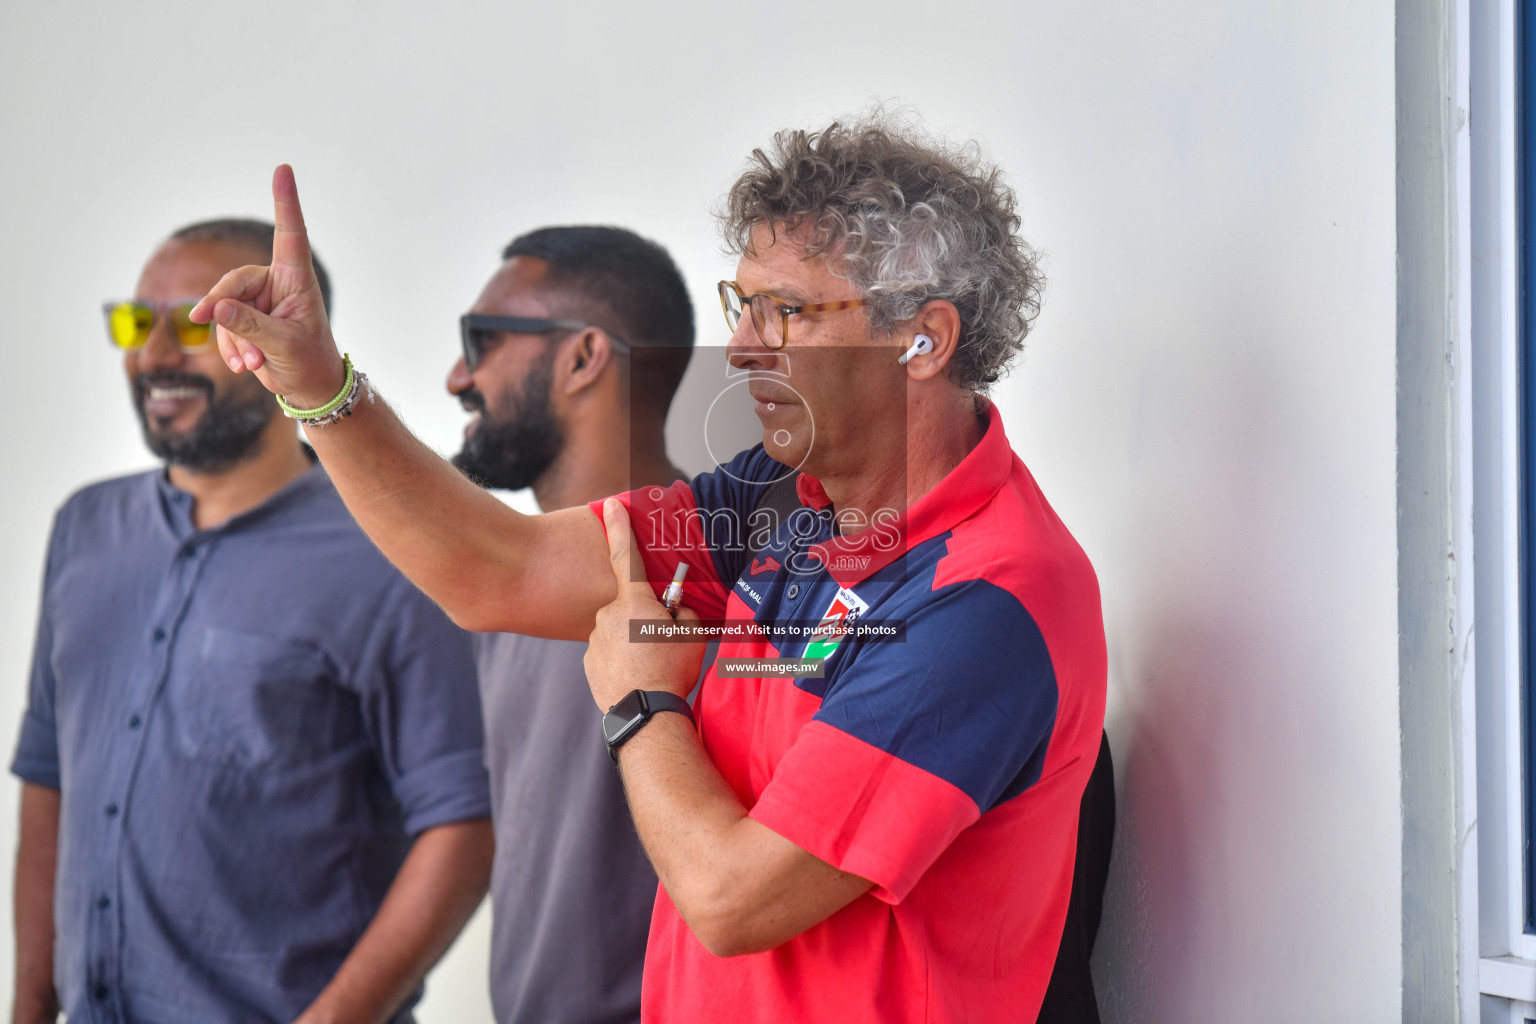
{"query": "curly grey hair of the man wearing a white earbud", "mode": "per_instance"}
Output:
(909, 220)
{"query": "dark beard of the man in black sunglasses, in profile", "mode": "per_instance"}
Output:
(514, 454)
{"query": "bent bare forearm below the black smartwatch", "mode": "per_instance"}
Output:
(738, 885)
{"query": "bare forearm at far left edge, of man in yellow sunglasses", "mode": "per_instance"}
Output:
(36, 860)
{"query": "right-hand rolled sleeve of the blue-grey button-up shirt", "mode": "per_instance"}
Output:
(422, 710)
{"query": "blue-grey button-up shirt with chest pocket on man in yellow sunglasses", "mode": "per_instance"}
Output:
(247, 727)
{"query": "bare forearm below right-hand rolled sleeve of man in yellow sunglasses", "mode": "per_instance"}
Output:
(435, 893)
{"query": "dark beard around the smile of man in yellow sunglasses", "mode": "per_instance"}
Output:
(228, 432)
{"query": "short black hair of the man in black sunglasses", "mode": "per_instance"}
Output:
(627, 285)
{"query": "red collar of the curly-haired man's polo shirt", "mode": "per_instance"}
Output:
(962, 494)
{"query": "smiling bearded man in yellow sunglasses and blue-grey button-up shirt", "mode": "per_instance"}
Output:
(253, 751)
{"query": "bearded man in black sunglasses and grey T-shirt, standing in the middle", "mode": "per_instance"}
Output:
(577, 343)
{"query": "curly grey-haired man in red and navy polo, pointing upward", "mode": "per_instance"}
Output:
(875, 816)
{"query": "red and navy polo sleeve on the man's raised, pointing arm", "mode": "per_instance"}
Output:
(707, 523)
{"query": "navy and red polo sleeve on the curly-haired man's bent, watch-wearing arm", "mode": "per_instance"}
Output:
(918, 739)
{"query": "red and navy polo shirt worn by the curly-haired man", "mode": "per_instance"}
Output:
(945, 767)
